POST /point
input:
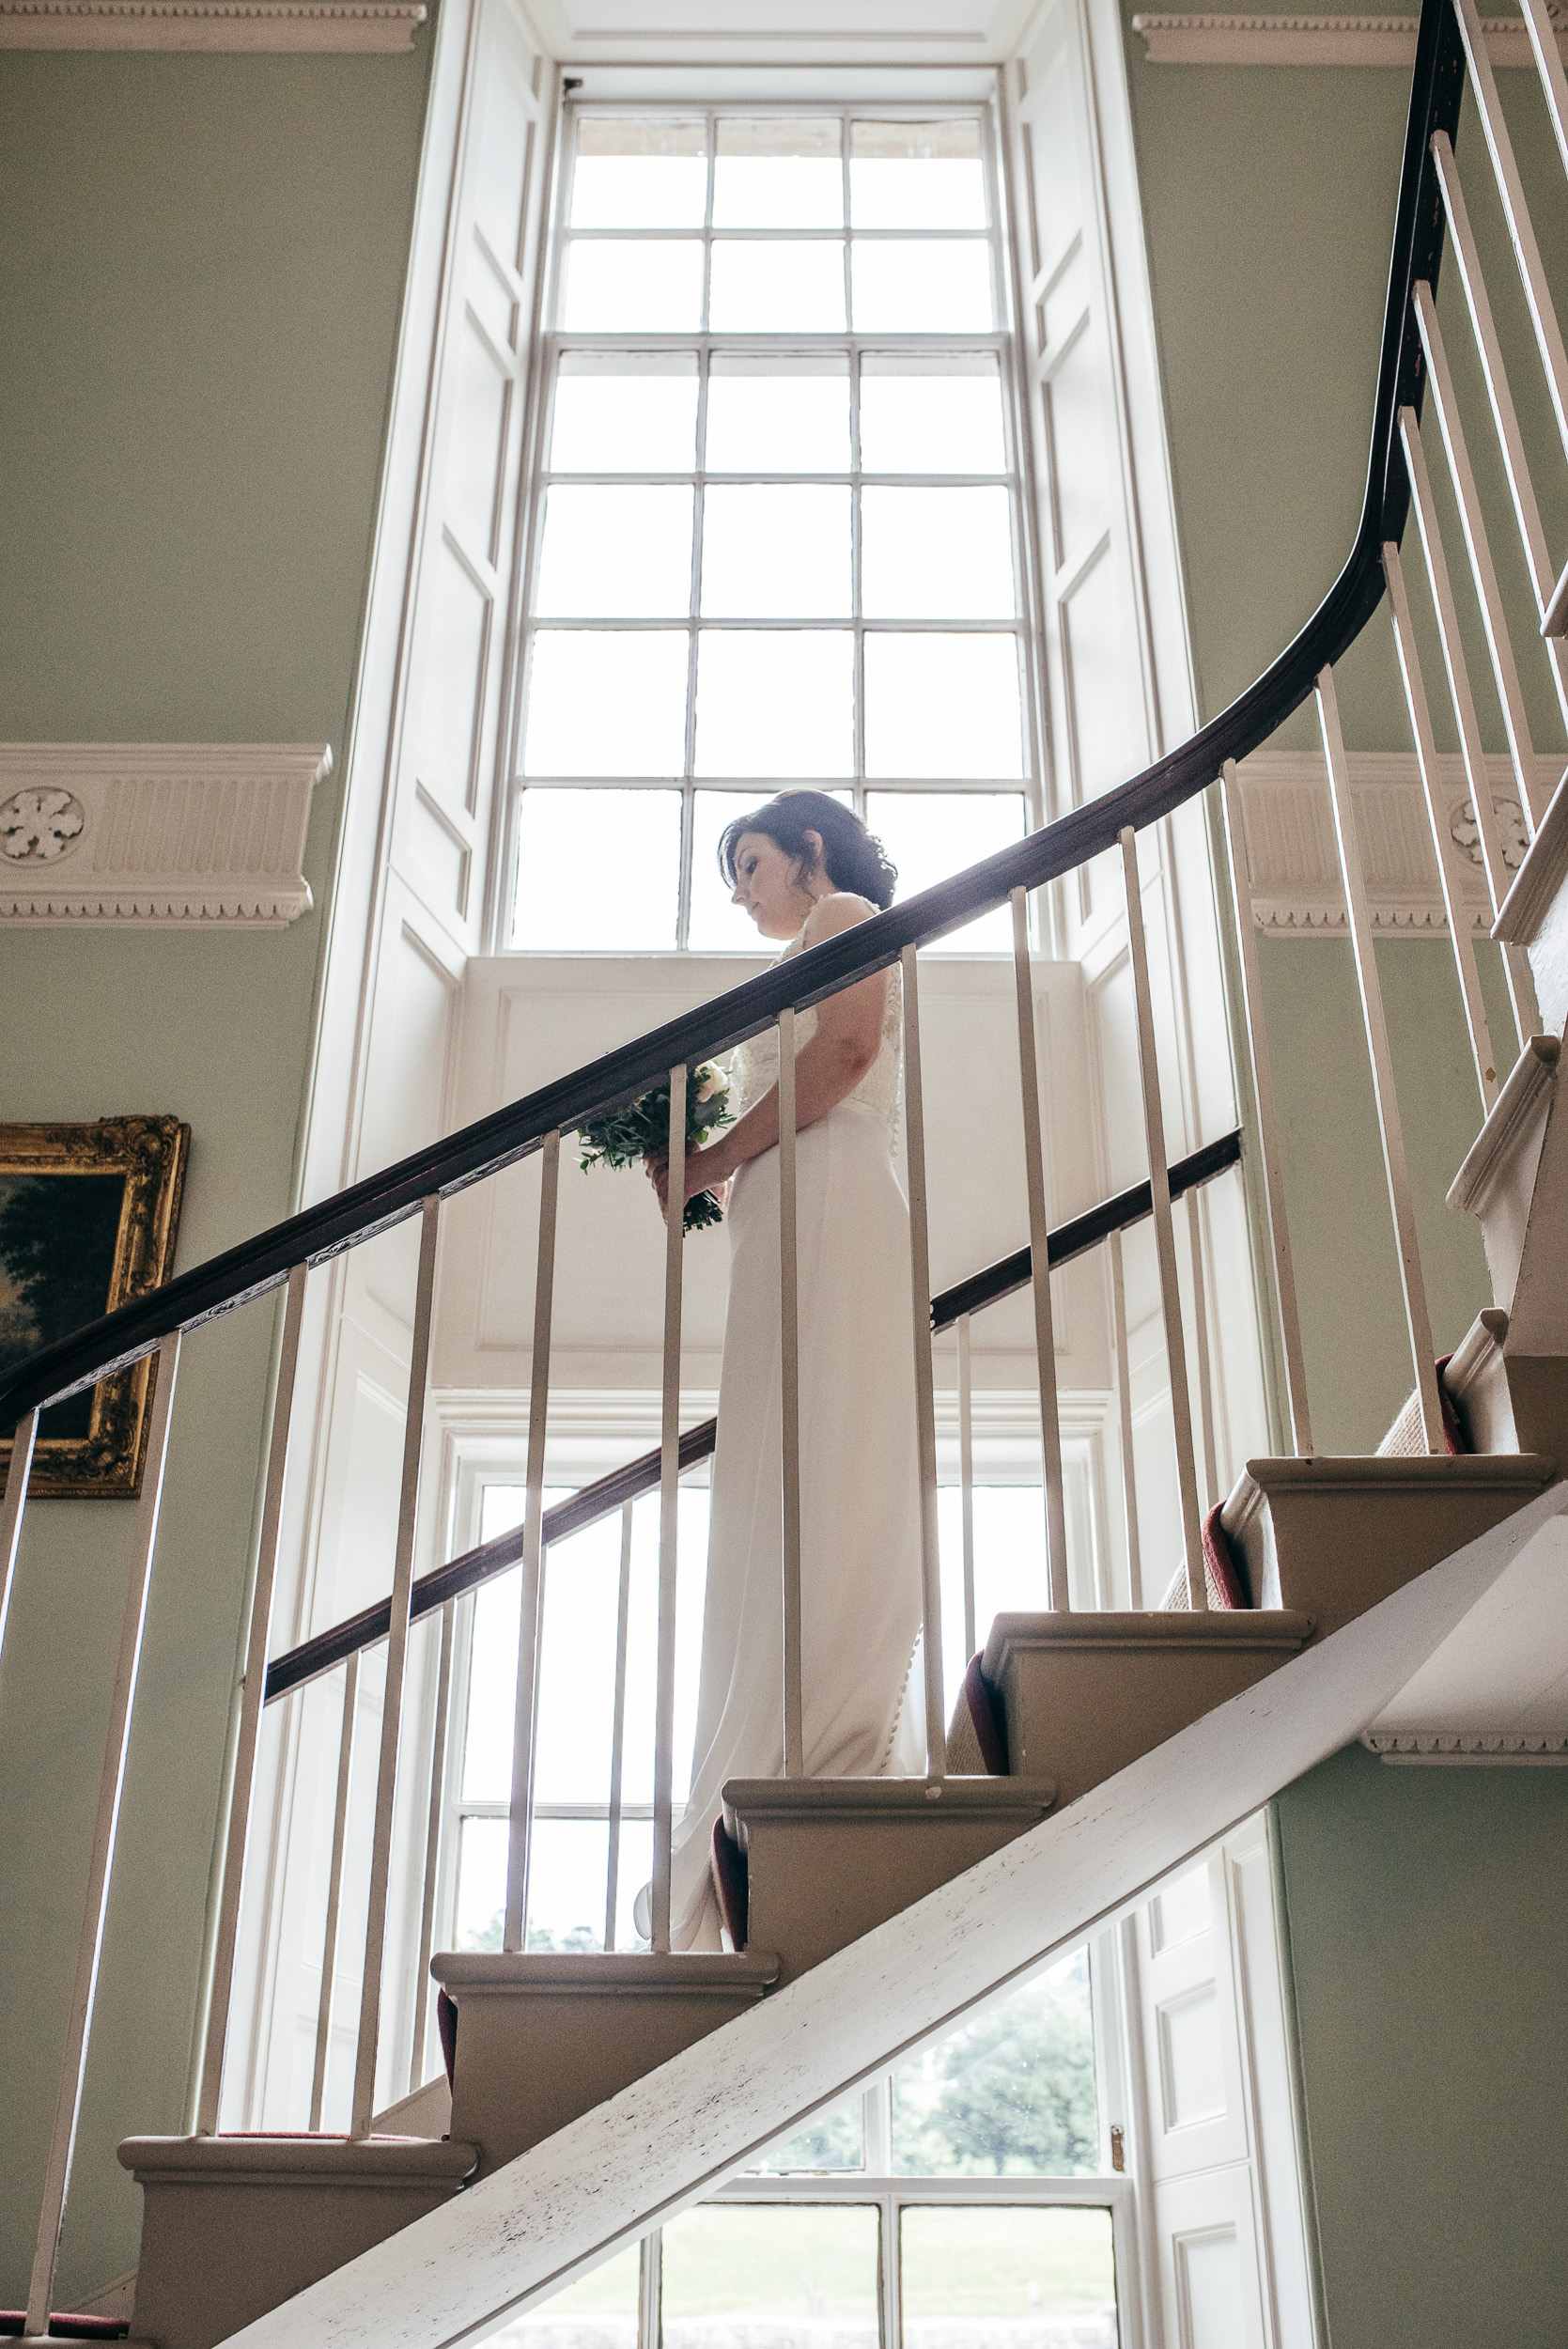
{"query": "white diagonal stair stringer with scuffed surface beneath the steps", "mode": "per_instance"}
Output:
(675, 2136)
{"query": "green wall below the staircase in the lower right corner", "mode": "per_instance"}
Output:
(1428, 1916)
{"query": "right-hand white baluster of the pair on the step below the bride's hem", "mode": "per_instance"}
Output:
(398, 1667)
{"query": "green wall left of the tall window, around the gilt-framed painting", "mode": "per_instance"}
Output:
(201, 285)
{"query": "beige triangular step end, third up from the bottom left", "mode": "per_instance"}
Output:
(818, 1885)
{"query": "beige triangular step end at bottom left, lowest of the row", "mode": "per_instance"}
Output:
(217, 2254)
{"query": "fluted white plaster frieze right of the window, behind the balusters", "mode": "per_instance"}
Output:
(1295, 863)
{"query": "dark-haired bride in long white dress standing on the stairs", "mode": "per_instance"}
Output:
(806, 870)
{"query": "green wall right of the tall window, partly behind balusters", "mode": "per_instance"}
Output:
(1269, 203)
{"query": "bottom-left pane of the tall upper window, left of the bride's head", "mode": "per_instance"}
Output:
(597, 870)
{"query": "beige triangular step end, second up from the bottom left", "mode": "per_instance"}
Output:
(534, 2061)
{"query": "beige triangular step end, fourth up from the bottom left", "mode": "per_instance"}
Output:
(1086, 1714)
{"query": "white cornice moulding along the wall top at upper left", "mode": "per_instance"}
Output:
(210, 25)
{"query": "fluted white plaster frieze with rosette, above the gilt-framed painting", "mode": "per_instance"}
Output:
(163, 835)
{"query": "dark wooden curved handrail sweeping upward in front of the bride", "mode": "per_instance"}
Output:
(1088, 833)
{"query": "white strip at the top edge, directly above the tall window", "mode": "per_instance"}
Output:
(783, 32)
